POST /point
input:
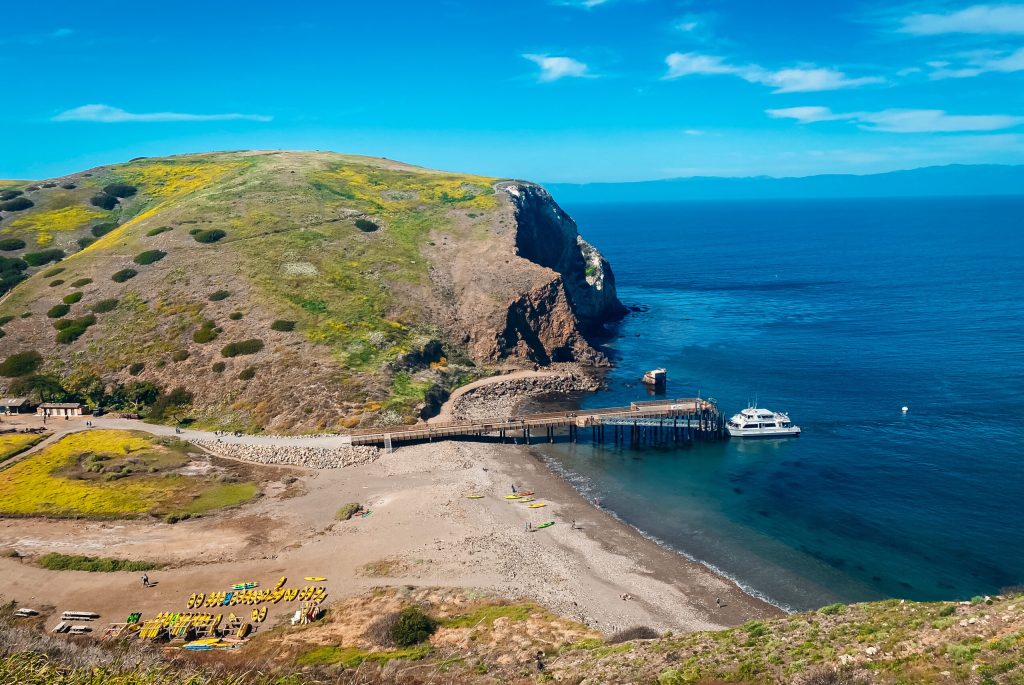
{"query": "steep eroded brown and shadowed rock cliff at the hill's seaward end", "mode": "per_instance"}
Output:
(537, 292)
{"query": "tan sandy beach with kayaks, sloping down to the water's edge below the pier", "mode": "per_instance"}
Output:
(422, 532)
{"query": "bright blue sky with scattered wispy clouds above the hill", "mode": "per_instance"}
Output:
(549, 91)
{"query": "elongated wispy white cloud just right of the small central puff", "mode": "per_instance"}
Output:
(793, 80)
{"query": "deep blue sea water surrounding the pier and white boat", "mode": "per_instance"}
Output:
(839, 313)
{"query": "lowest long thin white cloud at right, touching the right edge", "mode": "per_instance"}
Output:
(903, 121)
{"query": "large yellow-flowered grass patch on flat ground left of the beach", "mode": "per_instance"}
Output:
(112, 475)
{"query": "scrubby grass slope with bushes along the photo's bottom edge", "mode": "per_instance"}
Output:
(458, 637)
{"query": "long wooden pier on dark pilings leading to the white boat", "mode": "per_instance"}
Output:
(659, 422)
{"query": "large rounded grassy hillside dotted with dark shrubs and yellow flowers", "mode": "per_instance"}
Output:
(293, 291)
